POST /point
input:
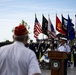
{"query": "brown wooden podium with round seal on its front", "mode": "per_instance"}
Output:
(57, 62)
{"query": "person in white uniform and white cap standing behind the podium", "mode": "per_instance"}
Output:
(64, 47)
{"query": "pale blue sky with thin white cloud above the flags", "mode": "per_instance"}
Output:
(12, 12)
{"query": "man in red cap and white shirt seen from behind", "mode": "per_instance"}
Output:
(16, 59)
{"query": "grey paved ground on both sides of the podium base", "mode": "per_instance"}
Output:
(70, 71)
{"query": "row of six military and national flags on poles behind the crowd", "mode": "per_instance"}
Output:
(66, 27)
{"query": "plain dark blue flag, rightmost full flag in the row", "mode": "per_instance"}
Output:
(70, 30)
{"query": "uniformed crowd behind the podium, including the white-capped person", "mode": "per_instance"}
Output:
(41, 48)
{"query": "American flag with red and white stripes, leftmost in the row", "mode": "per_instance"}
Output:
(37, 28)
